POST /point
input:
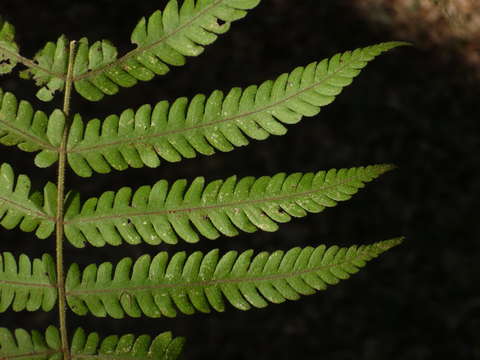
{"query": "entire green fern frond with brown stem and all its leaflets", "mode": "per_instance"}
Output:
(168, 283)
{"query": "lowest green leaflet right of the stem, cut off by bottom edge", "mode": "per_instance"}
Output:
(162, 347)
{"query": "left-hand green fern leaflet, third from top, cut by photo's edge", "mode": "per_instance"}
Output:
(19, 207)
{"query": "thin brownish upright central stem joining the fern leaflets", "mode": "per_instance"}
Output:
(59, 235)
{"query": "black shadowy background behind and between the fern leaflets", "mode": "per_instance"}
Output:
(419, 301)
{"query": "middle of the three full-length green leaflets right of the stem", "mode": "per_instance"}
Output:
(162, 213)
